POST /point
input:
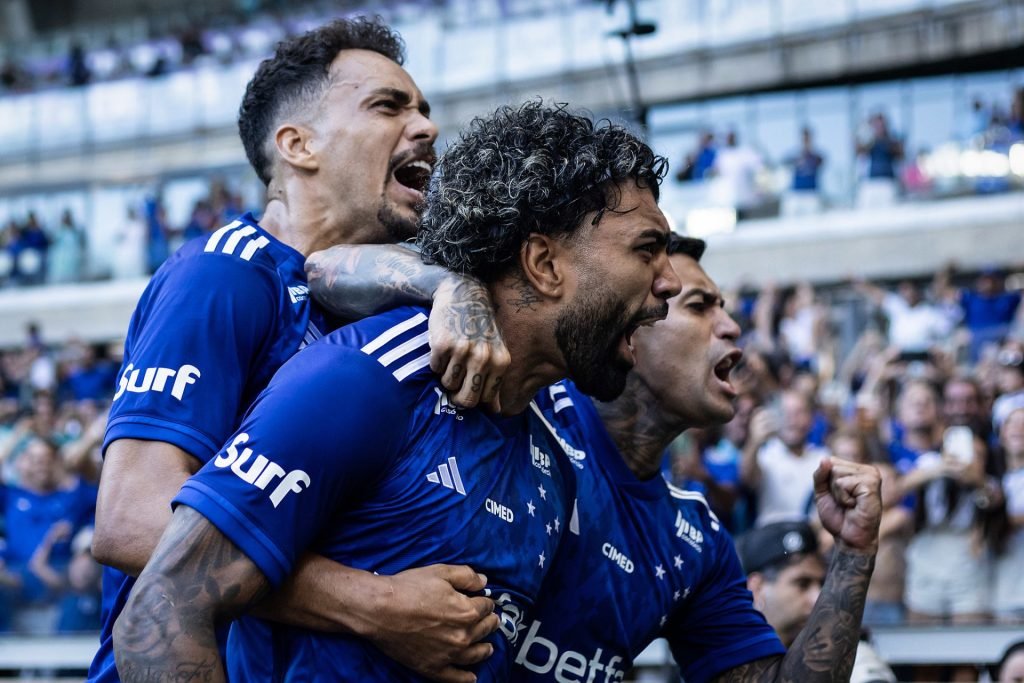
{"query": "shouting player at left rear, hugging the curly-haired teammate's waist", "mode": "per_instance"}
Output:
(340, 135)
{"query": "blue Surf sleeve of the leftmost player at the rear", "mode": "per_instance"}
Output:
(199, 332)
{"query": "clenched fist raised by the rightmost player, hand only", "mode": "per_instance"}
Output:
(849, 502)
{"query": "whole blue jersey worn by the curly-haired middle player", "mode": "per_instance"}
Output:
(355, 453)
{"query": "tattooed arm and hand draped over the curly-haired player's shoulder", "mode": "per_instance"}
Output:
(466, 349)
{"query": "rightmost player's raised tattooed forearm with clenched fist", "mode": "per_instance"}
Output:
(849, 502)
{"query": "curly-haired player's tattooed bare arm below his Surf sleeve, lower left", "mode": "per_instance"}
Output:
(196, 577)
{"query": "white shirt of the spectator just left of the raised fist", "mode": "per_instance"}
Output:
(787, 482)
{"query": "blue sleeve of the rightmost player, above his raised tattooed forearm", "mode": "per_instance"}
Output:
(720, 629)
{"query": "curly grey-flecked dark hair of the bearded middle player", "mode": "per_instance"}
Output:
(527, 169)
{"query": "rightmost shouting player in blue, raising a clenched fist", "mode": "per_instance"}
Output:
(645, 560)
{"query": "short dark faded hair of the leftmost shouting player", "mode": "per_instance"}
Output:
(300, 71)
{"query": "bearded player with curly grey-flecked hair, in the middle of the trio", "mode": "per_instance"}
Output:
(355, 449)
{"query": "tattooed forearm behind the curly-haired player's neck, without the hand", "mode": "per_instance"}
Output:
(356, 281)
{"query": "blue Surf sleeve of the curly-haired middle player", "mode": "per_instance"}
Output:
(325, 431)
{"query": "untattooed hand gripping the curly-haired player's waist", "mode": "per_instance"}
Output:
(426, 622)
